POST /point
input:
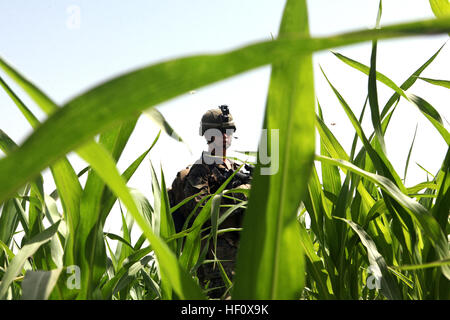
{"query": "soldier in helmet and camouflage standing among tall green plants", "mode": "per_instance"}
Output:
(204, 177)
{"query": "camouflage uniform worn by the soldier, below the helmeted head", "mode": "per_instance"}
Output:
(205, 179)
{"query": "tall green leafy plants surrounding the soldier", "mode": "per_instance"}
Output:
(370, 236)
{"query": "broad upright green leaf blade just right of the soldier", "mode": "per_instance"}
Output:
(270, 261)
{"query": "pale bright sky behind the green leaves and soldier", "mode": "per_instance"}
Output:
(67, 47)
